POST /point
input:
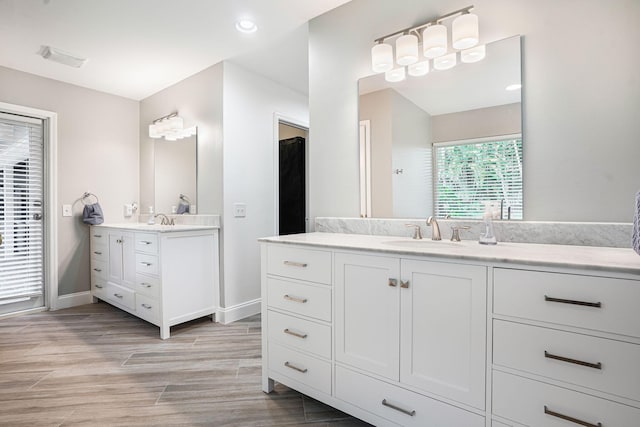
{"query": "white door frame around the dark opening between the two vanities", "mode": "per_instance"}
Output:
(277, 119)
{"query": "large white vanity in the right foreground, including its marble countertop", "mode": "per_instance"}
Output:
(408, 332)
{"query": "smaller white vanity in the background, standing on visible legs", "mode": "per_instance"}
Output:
(165, 275)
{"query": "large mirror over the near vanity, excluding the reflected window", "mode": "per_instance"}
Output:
(462, 105)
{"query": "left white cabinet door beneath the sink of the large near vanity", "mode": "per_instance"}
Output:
(367, 312)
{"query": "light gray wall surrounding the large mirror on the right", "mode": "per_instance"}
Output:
(581, 99)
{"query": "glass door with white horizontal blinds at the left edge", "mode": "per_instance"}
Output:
(21, 196)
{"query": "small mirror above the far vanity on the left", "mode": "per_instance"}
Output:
(175, 173)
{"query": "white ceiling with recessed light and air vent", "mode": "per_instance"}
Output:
(139, 47)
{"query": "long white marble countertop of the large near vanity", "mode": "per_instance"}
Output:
(621, 260)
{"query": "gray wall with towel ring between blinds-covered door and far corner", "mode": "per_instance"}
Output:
(97, 152)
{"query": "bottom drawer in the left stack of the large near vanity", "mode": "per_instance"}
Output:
(306, 369)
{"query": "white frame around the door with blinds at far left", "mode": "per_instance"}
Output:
(50, 196)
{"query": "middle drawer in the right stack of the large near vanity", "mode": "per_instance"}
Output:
(597, 363)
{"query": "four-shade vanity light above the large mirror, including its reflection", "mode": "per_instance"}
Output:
(431, 39)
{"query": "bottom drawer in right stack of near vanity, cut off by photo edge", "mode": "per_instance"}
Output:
(524, 401)
